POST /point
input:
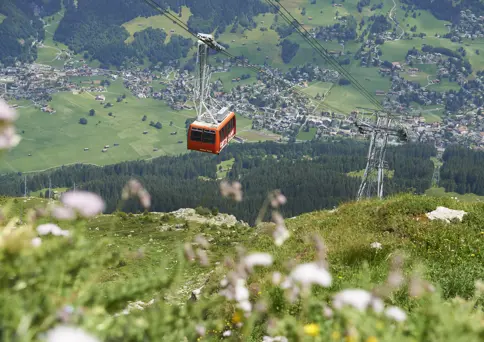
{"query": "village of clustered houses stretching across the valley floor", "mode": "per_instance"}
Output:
(270, 107)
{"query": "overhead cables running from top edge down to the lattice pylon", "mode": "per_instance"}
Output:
(314, 43)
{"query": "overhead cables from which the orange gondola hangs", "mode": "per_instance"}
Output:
(182, 25)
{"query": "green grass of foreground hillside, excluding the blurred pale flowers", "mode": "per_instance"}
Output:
(145, 251)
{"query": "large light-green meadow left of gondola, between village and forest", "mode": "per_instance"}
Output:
(57, 139)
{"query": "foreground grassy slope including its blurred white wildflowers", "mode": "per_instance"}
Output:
(109, 261)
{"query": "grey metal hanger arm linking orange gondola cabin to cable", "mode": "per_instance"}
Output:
(208, 110)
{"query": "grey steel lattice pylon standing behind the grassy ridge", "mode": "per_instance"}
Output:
(380, 132)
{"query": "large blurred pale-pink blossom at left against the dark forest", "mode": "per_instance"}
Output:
(88, 204)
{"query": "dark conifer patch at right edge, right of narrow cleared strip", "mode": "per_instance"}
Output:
(463, 170)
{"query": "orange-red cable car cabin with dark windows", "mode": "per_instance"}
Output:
(211, 138)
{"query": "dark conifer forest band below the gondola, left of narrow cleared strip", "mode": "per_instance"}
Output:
(312, 176)
